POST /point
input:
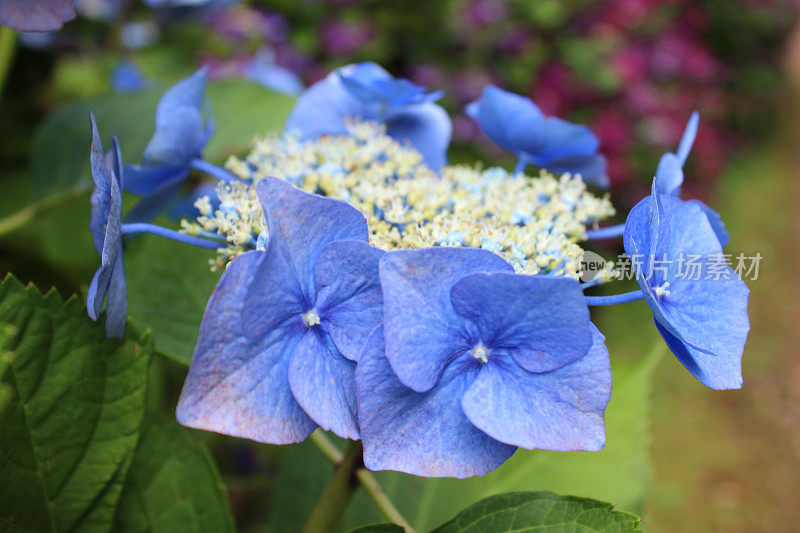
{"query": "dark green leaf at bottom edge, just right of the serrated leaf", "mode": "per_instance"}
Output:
(173, 484)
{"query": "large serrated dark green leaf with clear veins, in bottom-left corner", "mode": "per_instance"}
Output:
(70, 430)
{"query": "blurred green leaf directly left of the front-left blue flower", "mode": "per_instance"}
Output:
(169, 284)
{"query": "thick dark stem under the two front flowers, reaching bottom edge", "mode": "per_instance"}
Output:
(337, 494)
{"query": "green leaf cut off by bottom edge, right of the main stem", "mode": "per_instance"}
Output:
(543, 512)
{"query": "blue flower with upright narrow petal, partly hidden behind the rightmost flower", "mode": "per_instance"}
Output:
(669, 175)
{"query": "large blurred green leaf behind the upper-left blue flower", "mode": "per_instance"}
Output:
(60, 153)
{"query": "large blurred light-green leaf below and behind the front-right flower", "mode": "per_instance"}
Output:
(620, 473)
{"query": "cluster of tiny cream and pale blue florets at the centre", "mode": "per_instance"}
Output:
(535, 223)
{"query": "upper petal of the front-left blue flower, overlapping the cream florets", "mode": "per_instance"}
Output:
(300, 225)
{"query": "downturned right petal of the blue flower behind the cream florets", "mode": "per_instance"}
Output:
(427, 127)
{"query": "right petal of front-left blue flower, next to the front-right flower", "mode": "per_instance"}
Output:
(349, 298)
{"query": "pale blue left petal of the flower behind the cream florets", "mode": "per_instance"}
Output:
(322, 109)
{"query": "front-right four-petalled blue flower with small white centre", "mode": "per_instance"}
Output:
(475, 361)
